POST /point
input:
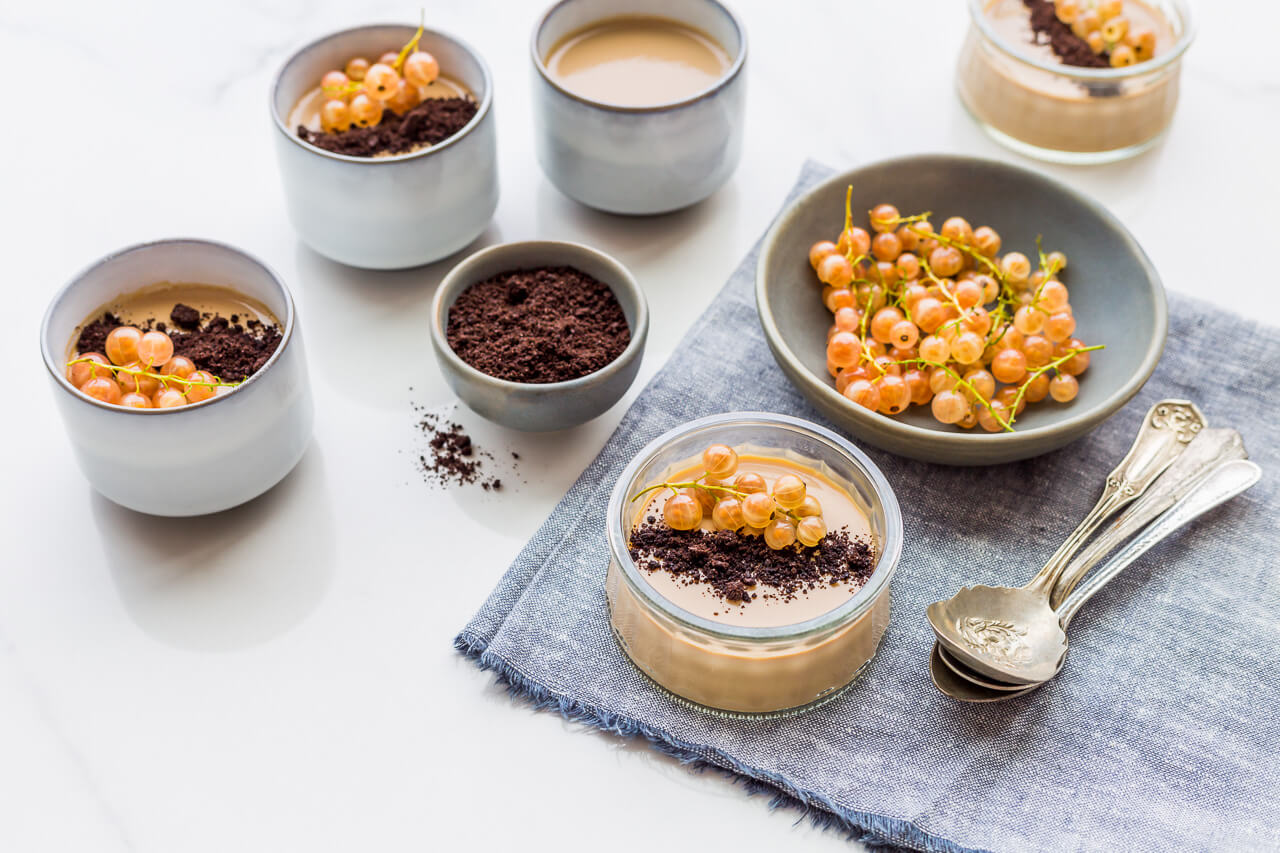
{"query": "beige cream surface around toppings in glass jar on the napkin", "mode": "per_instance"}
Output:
(766, 612)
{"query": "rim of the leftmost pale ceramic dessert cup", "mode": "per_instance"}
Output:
(60, 373)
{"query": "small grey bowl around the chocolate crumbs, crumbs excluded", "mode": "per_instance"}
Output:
(554, 405)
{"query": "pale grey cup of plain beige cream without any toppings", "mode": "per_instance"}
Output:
(638, 108)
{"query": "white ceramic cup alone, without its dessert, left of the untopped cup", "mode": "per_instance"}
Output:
(392, 212)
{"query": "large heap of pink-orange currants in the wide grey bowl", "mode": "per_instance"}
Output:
(943, 318)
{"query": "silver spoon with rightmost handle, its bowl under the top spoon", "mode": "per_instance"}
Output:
(1218, 487)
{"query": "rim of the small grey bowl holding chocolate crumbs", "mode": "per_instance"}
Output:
(460, 279)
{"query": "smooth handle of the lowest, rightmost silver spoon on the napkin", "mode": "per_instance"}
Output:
(1220, 486)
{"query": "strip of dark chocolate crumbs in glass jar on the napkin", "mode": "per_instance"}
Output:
(732, 563)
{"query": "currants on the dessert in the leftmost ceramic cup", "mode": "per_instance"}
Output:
(140, 371)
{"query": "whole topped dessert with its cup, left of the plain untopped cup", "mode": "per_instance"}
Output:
(387, 145)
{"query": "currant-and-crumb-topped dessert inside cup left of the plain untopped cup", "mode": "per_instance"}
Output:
(397, 104)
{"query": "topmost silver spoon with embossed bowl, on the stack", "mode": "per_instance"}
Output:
(1012, 633)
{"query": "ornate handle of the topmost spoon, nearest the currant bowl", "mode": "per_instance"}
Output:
(1167, 431)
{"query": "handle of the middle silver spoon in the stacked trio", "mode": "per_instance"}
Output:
(1205, 454)
